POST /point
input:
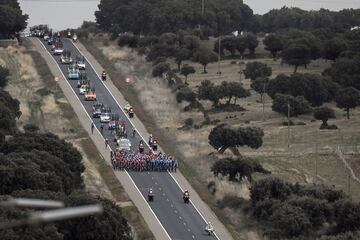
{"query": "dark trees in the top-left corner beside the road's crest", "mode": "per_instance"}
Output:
(12, 21)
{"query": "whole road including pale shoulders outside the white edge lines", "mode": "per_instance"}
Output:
(177, 220)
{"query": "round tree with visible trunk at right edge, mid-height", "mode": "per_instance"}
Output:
(347, 98)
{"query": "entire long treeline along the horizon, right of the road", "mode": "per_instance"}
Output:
(220, 17)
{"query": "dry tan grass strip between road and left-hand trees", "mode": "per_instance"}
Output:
(43, 104)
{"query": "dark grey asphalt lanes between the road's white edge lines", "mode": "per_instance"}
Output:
(181, 221)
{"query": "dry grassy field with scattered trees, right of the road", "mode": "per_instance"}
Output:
(311, 150)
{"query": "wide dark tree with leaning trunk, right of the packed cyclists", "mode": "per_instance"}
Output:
(223, 137)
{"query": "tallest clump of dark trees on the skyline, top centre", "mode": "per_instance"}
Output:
(143, 17)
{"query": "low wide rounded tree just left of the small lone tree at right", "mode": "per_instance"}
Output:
(298, 105)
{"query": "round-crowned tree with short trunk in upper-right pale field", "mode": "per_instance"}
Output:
(296, 55)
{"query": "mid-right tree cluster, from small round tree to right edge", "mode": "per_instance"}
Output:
(301, 92)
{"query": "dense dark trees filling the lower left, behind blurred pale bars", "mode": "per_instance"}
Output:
(41, 165)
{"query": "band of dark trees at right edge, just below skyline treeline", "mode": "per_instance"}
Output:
(299, 47)
